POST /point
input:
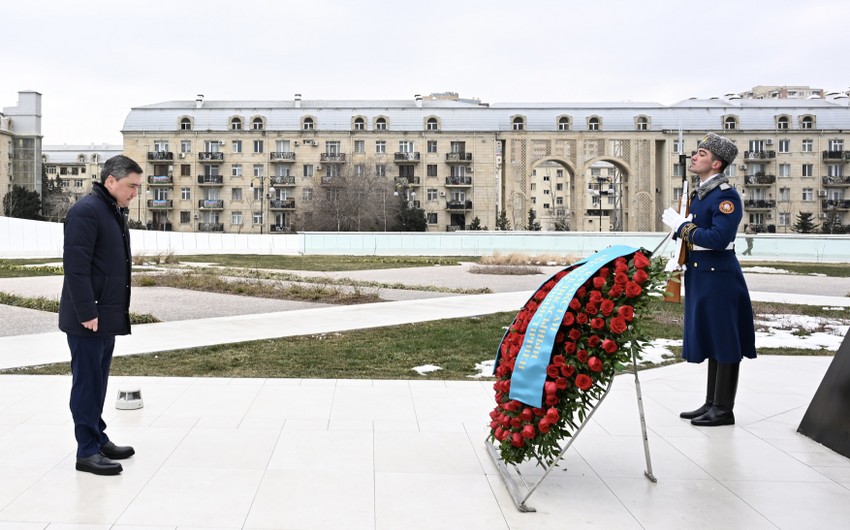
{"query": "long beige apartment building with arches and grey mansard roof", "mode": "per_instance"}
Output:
(254, 166)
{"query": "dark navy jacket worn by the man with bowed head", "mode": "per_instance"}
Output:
(97, 263)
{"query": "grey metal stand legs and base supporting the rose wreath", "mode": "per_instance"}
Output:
(521, 494)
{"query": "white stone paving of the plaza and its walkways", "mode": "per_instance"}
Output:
(373, 454)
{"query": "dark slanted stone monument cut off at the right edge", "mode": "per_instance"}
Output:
(827, 419)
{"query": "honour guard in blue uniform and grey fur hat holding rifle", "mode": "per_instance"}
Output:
(718, 312)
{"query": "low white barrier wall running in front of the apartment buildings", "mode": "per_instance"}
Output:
(21, 238)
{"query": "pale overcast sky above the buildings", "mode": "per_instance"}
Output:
(93, 60)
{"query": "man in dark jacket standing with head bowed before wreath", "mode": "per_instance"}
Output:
(95, 305)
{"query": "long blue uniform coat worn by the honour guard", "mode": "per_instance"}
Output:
(718, 312)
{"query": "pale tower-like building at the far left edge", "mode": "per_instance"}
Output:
(20, 144)
